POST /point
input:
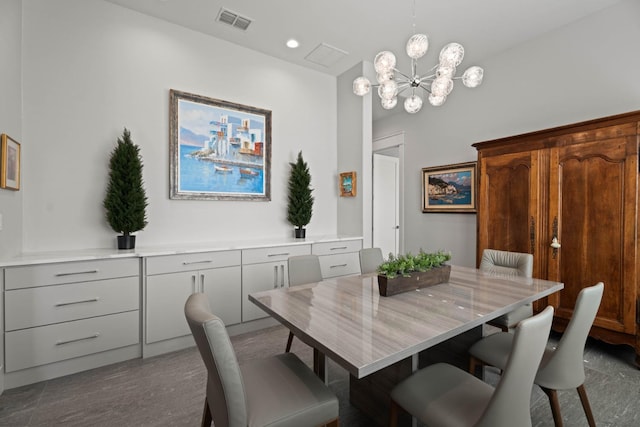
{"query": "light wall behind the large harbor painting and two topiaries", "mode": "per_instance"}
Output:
(91, 68)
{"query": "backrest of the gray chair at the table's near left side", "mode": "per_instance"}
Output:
(225, 388)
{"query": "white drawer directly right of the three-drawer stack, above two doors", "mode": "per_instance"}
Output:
(188, 262)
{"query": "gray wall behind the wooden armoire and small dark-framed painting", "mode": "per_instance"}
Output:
(583, 71)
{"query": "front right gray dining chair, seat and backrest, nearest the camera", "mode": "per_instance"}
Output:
(444, 395)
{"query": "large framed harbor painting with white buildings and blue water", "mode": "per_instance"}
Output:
(219, 150)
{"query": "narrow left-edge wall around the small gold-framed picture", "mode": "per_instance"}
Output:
(11, 120)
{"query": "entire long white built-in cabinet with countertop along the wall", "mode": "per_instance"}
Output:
(77, 312)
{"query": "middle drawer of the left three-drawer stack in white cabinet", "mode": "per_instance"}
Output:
(26, 308)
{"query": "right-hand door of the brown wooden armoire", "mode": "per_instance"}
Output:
(592, 211)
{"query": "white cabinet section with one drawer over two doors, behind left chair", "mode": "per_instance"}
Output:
(170, 279)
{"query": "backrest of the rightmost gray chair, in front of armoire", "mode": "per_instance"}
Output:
(564, 368)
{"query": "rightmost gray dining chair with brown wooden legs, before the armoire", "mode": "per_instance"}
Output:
(561, 368)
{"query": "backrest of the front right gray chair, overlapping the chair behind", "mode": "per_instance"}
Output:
(510, 402)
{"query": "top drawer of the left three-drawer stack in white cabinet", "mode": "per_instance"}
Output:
(69, 272)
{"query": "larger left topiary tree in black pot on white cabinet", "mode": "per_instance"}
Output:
(126, 200)
